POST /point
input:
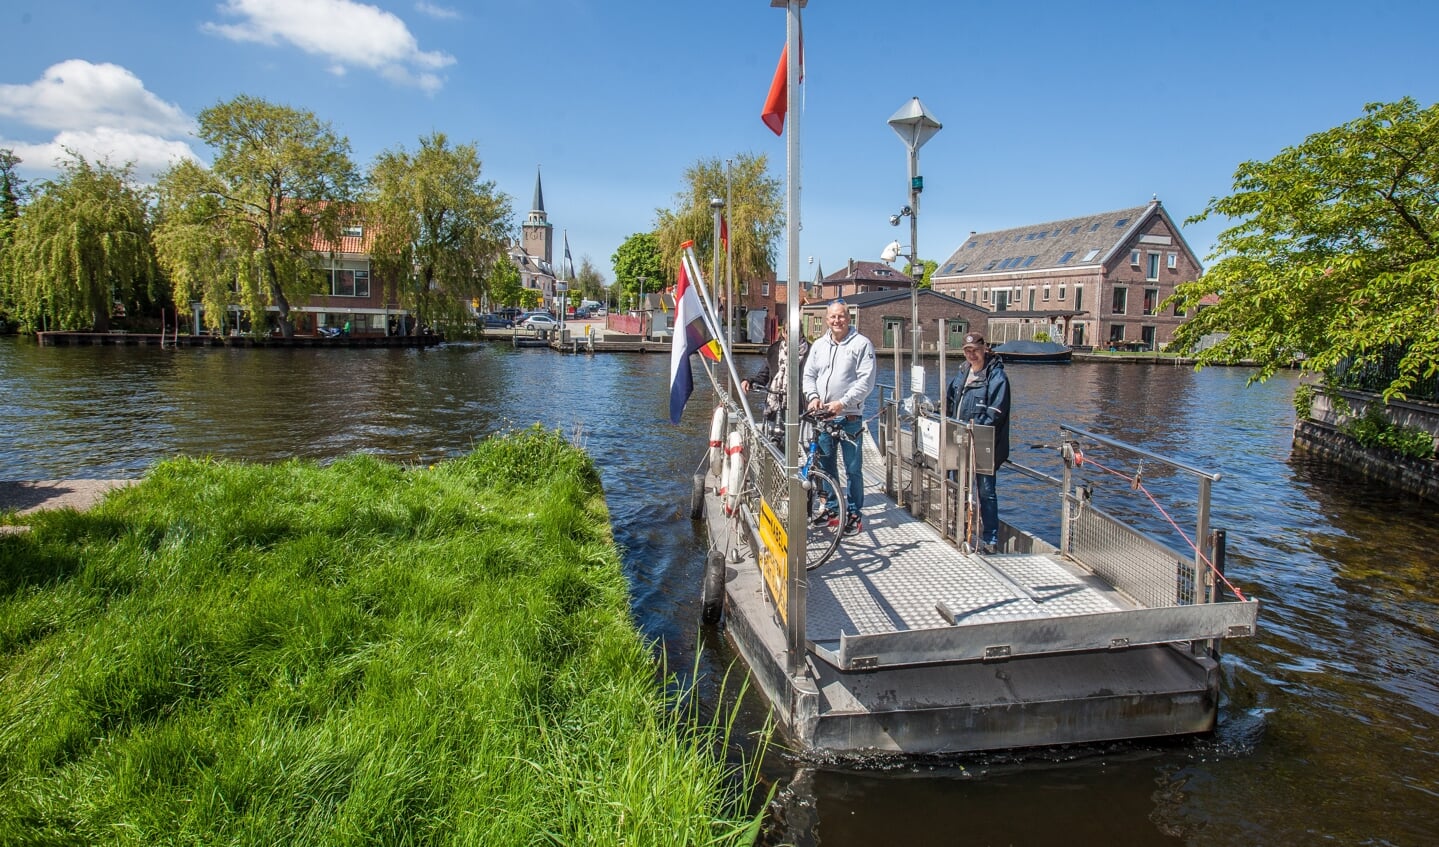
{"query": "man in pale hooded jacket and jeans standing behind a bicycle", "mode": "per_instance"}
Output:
(840, 375)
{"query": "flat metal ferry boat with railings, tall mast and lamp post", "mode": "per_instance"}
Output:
(912, 639)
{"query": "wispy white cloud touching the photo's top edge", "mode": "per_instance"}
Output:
(346, 34)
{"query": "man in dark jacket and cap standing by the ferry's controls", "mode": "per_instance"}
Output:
(979, 393)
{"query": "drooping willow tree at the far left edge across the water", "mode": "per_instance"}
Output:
(80, 247)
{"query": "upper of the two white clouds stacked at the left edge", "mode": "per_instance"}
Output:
(81, 96)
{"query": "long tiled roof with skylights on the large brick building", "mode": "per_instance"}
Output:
(1057, 245)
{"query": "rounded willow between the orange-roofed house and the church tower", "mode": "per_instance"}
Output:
(441, 231)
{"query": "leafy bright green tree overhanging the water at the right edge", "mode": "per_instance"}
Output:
(1336, 255)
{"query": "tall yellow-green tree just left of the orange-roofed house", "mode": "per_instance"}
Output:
(251, 226)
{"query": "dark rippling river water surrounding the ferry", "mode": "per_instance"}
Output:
(1330, 724)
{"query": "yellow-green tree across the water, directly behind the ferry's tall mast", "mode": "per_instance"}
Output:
(755, 214)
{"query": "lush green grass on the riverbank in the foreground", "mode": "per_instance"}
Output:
(349, 655)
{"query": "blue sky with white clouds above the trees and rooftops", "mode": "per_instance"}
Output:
(1051, 110)
